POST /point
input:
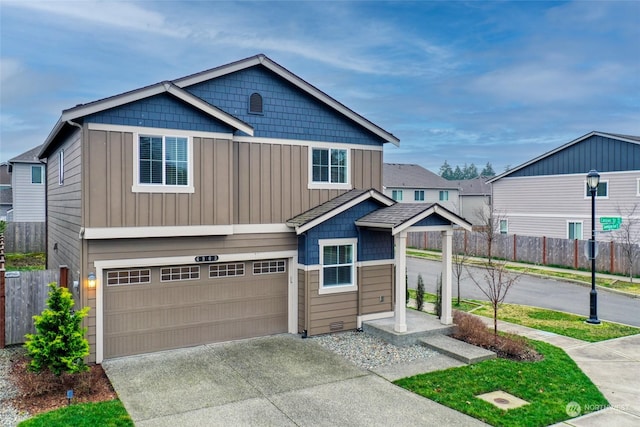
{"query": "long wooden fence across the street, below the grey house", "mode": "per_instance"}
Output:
(531, 249)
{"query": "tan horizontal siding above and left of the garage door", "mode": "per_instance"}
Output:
(153, 248)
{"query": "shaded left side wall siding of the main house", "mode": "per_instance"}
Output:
(64, 207)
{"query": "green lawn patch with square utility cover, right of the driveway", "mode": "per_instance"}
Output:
(548, 386)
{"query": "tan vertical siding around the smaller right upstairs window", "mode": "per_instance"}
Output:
(271, 180)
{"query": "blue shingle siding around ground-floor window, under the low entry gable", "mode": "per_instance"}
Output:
(342, 226)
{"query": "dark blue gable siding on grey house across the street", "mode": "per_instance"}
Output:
(596, 152)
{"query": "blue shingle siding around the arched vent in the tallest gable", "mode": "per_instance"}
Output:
(288, 112)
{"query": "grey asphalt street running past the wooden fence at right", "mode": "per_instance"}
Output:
(535, 291)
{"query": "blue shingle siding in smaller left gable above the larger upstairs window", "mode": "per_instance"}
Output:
(160, 111)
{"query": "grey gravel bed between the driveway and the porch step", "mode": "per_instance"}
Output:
(368, 352)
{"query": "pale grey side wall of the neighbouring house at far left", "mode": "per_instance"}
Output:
(28, 198)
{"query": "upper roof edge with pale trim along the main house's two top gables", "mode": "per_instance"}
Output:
(176, 88)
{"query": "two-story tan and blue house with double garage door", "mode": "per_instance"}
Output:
(236, 202)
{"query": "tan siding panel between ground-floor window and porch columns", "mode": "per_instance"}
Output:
(375, 282)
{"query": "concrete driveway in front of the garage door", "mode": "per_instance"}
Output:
(273, 381)
